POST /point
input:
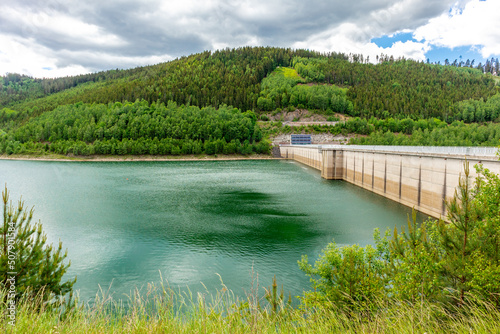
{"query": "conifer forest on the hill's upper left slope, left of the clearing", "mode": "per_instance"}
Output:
(229, 77)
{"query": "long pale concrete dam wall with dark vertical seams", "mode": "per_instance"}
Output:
(419, 177)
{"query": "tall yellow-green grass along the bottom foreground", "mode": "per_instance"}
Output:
(160, 309)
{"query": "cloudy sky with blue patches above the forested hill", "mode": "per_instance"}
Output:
(50, 38)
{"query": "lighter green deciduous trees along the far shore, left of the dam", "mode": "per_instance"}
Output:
(137, 128)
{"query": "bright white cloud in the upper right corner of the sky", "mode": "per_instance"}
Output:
(473, 23)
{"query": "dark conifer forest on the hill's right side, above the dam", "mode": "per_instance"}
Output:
(402, 88)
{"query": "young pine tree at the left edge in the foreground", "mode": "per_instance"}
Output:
(27, 263)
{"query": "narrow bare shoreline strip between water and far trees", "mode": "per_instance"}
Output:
(128, 158)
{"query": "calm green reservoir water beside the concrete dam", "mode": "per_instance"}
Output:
(125, 222)
